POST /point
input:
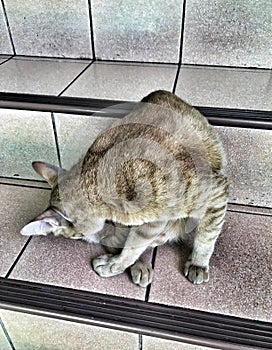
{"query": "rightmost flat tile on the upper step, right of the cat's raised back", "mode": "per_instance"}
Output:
(226, 87)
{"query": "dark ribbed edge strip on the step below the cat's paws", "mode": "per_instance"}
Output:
(137, 316)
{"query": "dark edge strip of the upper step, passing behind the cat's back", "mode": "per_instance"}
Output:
(111, 108)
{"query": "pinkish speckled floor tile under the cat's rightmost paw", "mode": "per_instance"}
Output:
(240, 272)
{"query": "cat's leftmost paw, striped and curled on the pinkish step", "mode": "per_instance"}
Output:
(107, 266)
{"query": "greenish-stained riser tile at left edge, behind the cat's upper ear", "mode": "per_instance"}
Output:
(26, 136)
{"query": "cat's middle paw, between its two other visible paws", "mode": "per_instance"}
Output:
(141, 273)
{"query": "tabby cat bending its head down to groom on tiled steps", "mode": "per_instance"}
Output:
(149, 174)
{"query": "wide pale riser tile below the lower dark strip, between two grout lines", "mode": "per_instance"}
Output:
(30, 332)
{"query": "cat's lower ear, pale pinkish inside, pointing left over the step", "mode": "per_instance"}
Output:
(42, 225)
